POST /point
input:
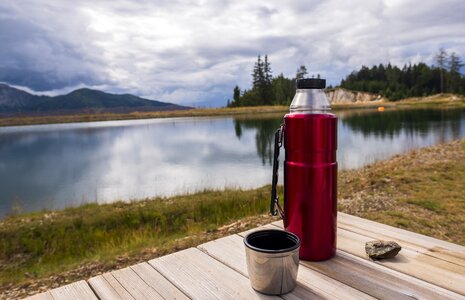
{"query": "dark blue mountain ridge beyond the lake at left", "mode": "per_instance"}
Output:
(15, 101)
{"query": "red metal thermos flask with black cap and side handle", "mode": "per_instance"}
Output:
(309, 135)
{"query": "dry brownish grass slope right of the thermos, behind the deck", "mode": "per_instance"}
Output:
(421, 191)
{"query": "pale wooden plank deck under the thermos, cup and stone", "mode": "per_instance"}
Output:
(426, 268)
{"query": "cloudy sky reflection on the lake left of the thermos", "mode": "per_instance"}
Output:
(53, 167)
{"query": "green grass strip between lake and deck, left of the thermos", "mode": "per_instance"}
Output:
(40, 244)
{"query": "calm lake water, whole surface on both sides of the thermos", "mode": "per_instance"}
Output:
(55, 166)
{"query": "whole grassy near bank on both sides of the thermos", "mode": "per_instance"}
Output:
(420, 191)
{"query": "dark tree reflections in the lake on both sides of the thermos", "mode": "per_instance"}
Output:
(387, 125)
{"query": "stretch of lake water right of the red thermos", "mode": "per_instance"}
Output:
(369, 136)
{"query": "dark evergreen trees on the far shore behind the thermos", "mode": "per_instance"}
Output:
(387, 80)
